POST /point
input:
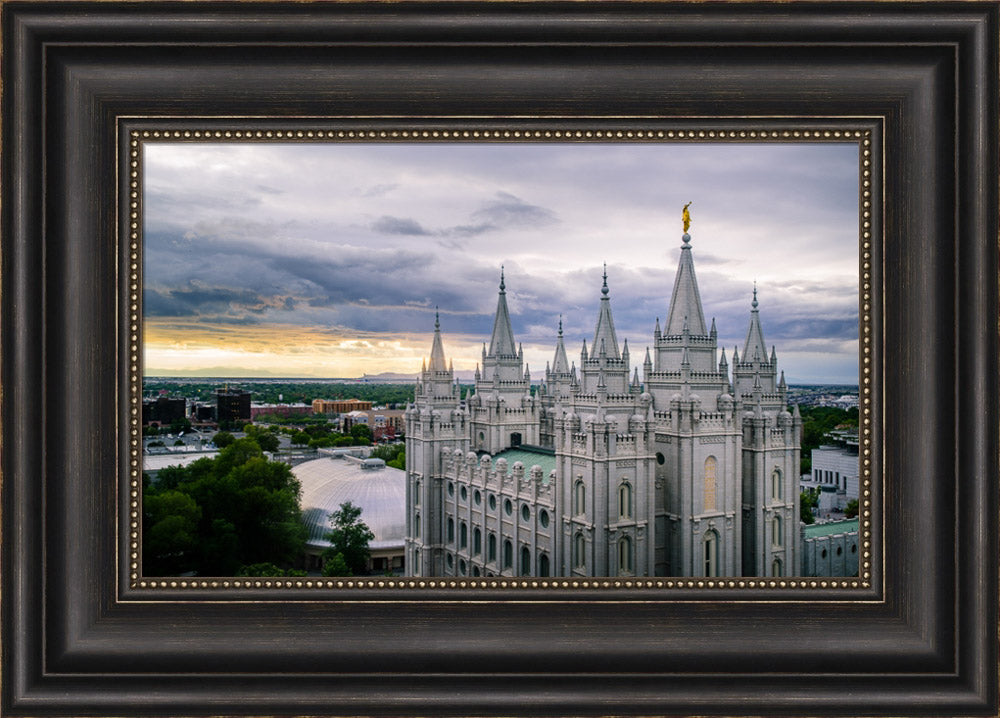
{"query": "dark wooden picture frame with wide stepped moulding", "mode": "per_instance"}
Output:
(922, 640)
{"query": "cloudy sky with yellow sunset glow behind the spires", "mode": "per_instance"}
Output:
(328, 260)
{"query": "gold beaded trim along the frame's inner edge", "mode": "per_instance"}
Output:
(868, 299)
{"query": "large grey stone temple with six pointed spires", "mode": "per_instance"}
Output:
(690, 471)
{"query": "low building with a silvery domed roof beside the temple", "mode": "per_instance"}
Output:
(380, 492)
